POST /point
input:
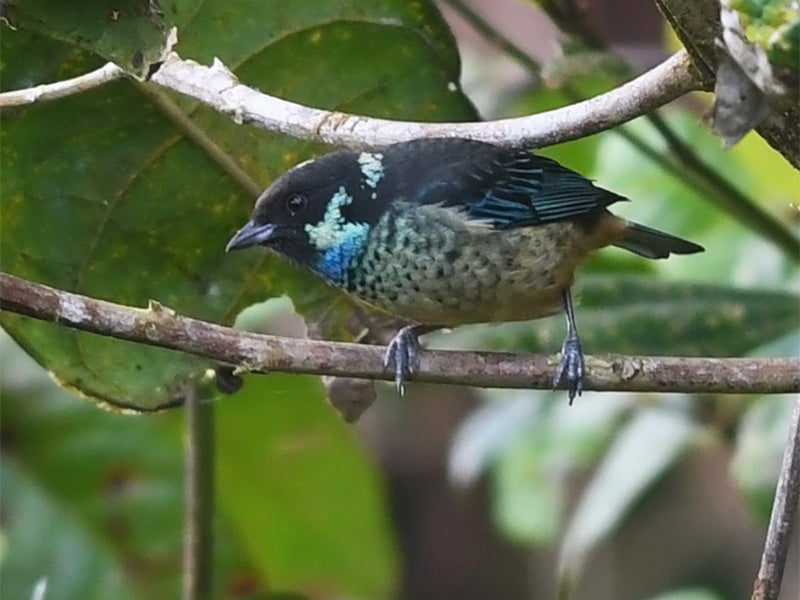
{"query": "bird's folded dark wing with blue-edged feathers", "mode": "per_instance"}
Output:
(515, 189)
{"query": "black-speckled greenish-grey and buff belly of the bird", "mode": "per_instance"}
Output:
(453, 276)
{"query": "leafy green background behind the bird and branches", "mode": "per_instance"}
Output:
(444, 493)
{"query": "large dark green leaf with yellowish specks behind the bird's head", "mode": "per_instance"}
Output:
(105, 195)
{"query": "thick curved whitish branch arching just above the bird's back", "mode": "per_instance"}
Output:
(219, 88)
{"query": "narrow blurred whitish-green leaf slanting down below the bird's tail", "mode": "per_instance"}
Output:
(641, 452)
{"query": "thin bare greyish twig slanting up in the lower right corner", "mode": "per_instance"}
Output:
(784, 512)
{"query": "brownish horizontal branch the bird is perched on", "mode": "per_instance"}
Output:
(160, 326)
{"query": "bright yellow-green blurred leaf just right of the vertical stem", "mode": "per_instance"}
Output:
(294, 484)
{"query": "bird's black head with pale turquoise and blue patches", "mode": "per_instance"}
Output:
(318, 213)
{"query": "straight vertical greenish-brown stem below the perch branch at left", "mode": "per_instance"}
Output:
(198, 564)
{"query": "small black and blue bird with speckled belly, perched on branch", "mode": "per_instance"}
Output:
(443, 232)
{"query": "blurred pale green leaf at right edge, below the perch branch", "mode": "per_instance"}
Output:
(760, 441)
